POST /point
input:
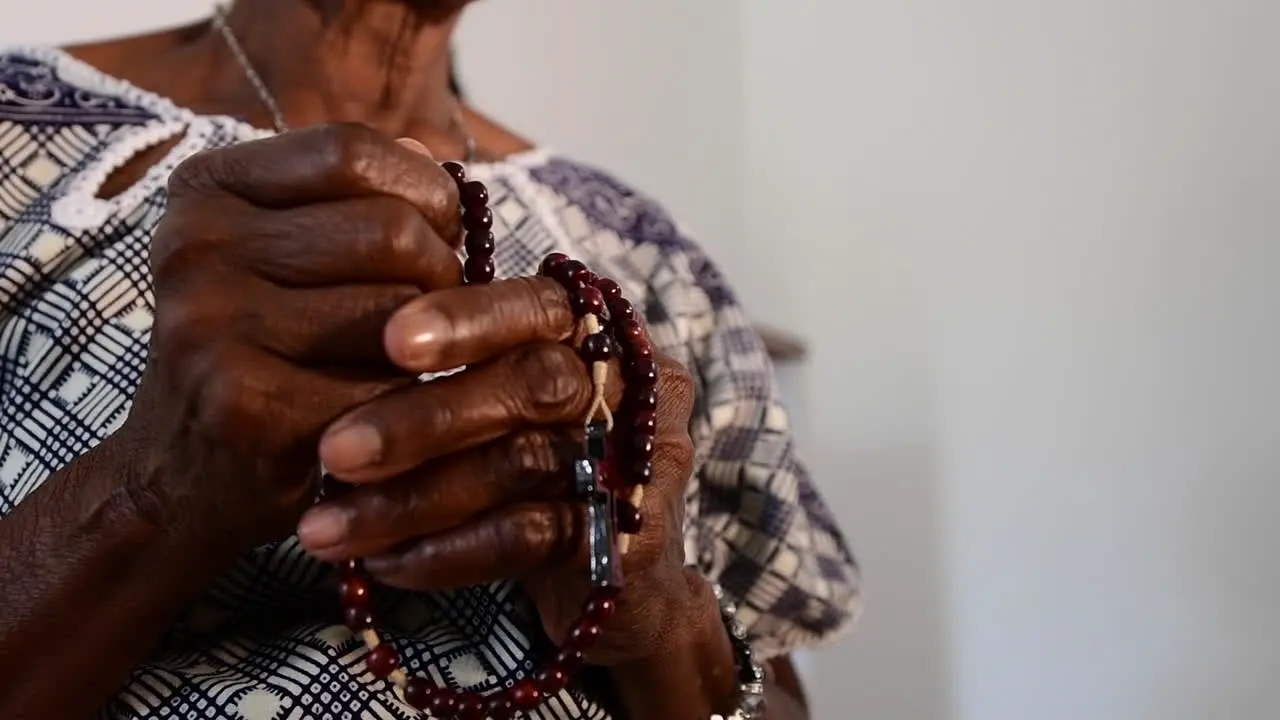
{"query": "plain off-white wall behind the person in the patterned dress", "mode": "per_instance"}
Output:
(1035, 248)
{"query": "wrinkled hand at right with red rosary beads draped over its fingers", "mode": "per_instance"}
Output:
(465, 480)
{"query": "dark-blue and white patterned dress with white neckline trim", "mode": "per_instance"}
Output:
(76, 311)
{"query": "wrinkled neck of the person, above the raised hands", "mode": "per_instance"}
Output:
(377, 62)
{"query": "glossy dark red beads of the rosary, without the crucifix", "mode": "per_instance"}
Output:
(589, 295)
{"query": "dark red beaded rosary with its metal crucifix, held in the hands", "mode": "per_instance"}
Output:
(612, 331)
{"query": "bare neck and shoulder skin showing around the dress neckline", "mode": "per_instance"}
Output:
(390, 71)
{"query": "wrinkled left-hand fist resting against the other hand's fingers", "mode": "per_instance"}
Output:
(276, 268)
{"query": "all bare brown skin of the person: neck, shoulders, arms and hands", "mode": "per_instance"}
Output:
(292, 280)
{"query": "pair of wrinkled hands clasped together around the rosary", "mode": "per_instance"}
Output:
(303, 282)
